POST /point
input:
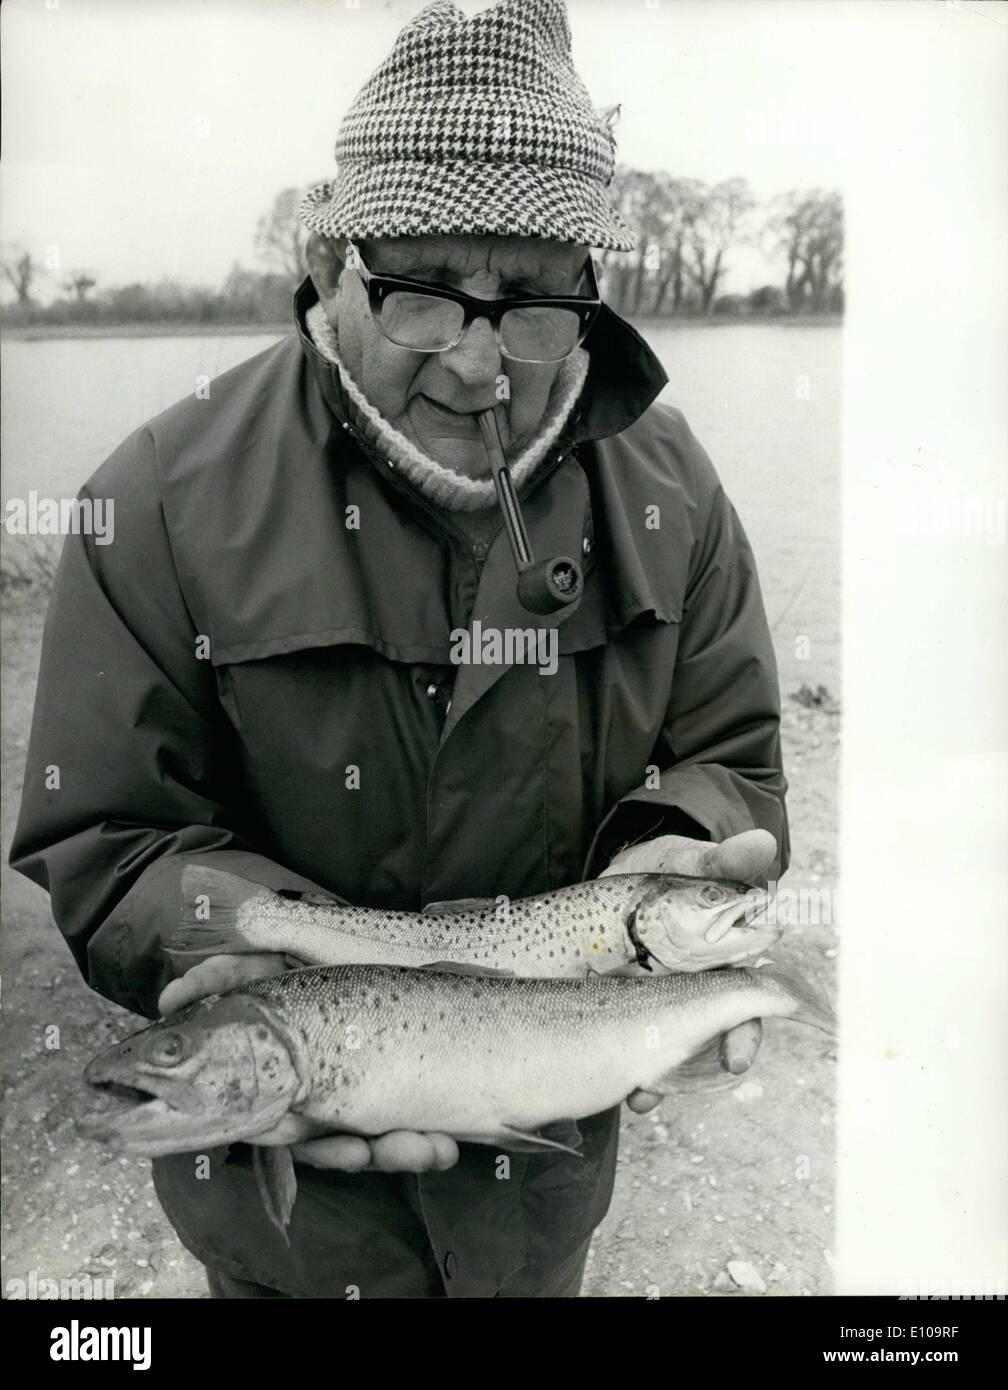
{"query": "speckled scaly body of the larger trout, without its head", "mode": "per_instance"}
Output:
(409, 1050)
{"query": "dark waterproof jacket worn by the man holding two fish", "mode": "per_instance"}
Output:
(322, 737)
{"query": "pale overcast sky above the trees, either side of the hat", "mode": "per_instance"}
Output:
(145, 140)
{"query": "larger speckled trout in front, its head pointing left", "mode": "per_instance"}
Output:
(366, 1050)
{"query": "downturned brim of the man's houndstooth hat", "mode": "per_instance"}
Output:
(415, 198)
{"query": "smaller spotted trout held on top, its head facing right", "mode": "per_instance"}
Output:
(657, 921)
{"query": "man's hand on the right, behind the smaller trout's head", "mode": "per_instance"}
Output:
(745, 858)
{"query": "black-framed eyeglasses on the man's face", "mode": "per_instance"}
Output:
(434, 318)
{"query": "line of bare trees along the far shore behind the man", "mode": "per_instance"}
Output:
(688, 234)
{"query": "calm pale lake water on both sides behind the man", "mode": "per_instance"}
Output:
(764, 400)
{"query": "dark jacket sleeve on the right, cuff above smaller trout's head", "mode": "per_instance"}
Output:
(718, 754)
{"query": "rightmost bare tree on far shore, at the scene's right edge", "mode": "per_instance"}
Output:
(808, 229)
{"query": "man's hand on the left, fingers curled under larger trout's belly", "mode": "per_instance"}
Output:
(400, 1152)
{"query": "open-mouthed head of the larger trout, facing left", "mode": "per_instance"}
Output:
(218, 1072)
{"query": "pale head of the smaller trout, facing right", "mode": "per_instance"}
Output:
(703, 924)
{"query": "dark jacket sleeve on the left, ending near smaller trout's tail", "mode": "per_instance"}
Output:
(131, 767)
